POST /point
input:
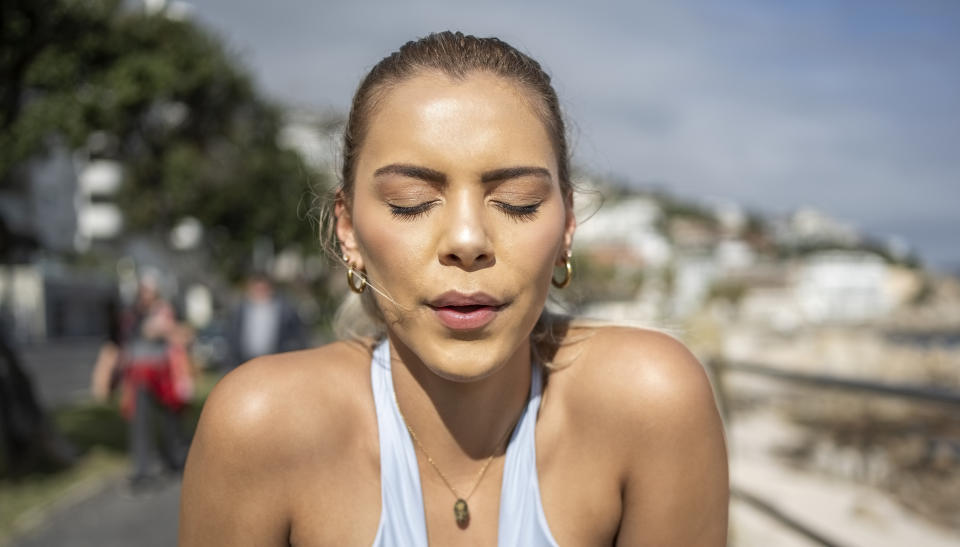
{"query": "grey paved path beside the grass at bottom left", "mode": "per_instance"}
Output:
(112, 518)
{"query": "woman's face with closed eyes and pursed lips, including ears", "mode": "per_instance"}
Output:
(458, 217)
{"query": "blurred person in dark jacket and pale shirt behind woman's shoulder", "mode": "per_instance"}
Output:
(262, 324)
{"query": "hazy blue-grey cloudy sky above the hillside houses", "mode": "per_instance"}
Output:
(849, 107)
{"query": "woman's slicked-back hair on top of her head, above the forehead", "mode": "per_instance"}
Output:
(455, 55)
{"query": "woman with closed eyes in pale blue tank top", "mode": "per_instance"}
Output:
(459, 410)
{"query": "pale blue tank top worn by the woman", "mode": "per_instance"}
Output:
(402, 520)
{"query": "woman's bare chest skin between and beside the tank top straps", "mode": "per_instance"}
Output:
(339, 503)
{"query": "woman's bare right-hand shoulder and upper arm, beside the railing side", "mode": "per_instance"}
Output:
(647, 400)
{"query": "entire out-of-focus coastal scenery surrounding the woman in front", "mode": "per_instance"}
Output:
(774, 183)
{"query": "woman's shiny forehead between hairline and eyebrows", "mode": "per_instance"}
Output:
(480, 119)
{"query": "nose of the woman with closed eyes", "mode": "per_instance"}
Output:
(466, 242)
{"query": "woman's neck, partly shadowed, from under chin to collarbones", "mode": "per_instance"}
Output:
(454, 419)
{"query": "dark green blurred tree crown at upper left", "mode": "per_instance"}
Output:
(162, 96)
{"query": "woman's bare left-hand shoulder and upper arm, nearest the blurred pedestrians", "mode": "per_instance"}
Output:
(267, 426)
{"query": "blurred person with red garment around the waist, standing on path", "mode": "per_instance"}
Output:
(150, 363)
